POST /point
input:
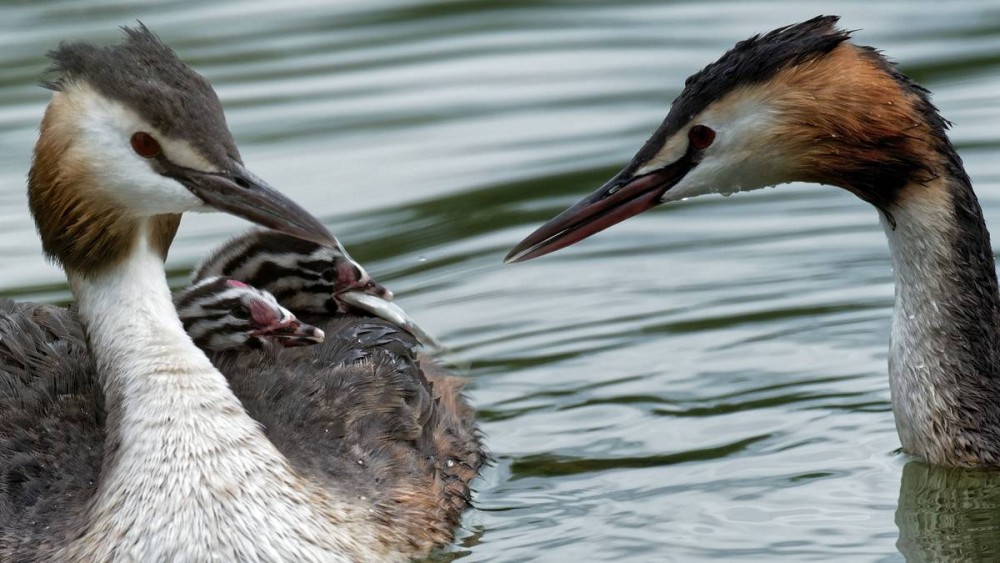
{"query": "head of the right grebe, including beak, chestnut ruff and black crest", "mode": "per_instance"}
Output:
(800, 103)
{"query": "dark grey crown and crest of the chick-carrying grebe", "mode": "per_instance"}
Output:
(146, 75)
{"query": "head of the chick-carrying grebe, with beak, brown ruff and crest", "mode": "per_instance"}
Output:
(131, 139)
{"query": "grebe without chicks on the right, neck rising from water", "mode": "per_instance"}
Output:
(802, 103)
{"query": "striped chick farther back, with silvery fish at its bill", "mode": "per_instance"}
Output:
(304, 276)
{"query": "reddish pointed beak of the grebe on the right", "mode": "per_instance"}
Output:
(618, 199)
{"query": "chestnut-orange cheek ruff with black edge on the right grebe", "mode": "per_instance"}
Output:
(846, 120)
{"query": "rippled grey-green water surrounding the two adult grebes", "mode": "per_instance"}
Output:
(705, 381)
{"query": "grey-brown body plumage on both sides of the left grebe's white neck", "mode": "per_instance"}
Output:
(360, 412)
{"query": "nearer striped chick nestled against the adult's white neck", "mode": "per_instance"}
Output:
(221, 313)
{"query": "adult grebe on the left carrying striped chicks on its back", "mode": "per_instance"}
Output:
(120, 439)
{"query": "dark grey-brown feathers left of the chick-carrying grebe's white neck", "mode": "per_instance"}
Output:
(52, 415)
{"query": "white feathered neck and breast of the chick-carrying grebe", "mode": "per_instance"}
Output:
(187, 473)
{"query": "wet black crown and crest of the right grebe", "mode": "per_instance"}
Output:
(751, 61)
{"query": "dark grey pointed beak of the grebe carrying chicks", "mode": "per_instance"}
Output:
(239, 192)
